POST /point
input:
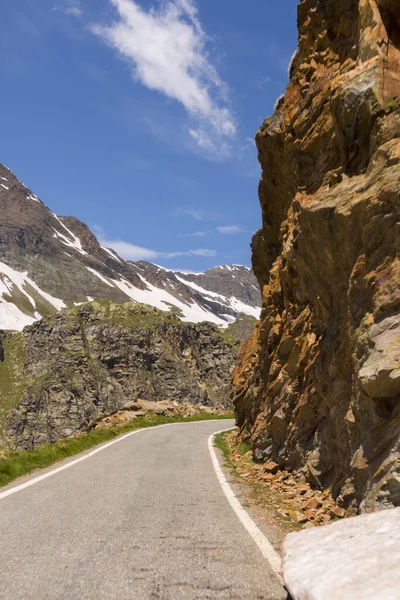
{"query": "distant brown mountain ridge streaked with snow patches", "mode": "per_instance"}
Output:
(49, 262)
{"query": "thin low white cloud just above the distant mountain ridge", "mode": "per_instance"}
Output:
(130, 251)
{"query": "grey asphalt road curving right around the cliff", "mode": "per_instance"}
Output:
(144, 519)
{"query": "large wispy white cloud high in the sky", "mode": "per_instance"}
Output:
(166, 49)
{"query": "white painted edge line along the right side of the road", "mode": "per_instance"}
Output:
(266, 548)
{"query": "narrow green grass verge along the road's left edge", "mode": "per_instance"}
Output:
(22, 462)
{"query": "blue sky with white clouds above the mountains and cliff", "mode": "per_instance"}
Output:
(138, 117)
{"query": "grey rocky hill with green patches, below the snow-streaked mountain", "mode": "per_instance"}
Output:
(69, 370)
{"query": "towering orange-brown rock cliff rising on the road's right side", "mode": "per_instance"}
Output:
(317, 387)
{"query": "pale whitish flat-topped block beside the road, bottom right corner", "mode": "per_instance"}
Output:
(353, 559)
